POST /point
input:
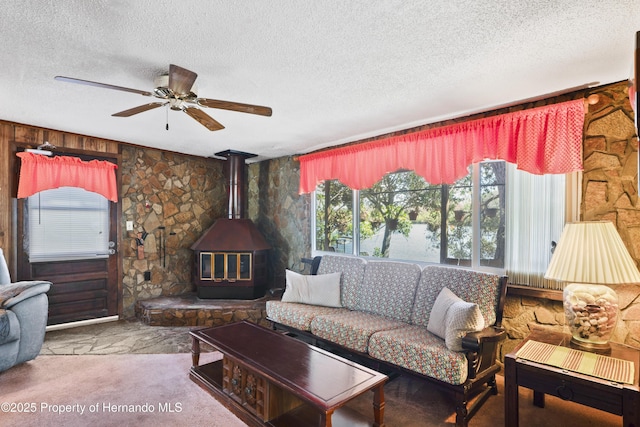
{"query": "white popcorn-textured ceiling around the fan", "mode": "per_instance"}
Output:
(333, 71)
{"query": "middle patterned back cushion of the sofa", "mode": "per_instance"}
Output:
(388, 289)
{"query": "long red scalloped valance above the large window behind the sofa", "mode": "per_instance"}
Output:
(544, 140)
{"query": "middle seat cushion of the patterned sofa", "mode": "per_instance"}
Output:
(351, 329)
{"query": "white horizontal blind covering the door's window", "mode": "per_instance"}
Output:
(67, 223)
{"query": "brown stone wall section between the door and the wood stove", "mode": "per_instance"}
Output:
(182, 193)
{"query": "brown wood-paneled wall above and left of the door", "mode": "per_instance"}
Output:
(13, 135)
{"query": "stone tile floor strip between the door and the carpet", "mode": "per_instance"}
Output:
(118, 337)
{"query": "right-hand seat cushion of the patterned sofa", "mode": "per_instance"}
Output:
(416, 349)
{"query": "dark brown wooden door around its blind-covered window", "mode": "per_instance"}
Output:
(82, 289)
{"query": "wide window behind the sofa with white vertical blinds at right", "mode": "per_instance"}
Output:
(403, 217)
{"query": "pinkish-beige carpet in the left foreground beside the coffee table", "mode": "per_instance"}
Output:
(123, 390)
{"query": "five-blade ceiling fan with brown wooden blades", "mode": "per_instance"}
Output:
(177, 90)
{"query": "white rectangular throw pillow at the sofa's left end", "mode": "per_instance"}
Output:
(322, 289)
